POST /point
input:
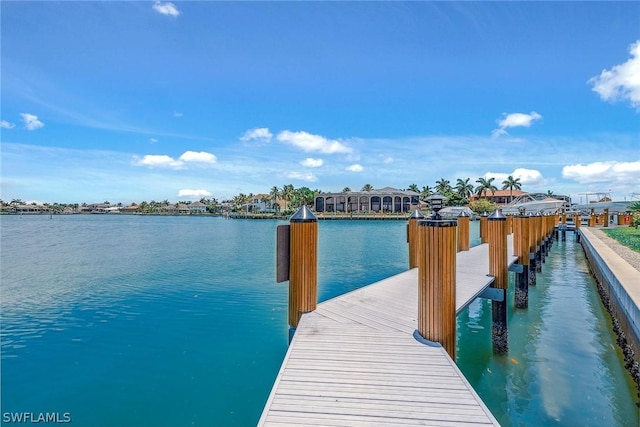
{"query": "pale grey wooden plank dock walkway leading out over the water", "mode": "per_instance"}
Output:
(358, 359)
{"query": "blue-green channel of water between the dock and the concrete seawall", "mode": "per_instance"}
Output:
(563, 366)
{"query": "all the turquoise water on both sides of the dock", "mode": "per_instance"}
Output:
(177, 321)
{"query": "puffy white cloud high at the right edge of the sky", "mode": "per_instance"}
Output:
(622, 81)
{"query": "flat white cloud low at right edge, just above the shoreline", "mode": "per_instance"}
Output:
(603, 172)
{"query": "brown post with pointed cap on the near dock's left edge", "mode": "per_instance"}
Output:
(303, 267)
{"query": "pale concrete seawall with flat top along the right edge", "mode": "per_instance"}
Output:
(621, 283)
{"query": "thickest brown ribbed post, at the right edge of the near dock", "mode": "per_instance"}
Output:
(437, 283)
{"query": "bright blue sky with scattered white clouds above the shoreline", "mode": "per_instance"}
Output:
(131, 101)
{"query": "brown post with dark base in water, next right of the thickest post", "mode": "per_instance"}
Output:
(498, 268)
